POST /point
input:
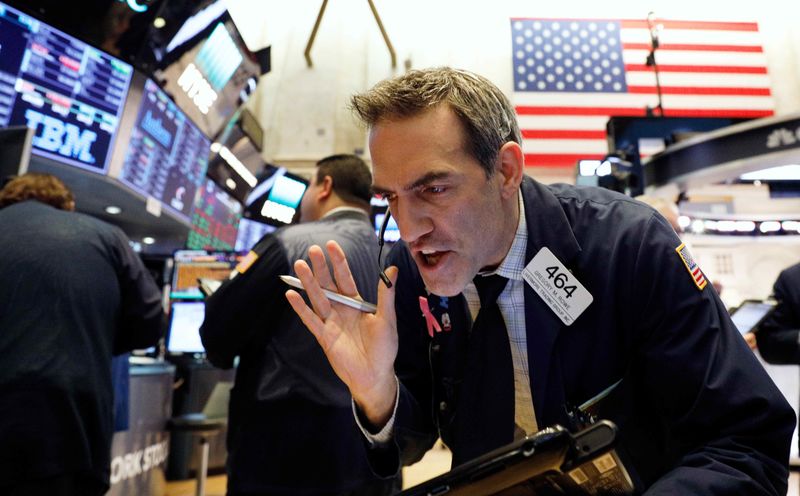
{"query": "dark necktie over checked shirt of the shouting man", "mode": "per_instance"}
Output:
(487, 399)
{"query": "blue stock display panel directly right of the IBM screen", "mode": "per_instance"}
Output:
(167, 155)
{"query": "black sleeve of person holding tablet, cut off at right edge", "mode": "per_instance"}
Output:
(778, 335)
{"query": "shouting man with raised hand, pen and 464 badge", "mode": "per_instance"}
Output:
(596, 290)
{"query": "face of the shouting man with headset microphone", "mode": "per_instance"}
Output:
(450, 215)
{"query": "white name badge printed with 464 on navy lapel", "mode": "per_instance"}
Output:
(554, 284)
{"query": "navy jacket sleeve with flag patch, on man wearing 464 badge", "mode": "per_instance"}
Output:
(732, 425)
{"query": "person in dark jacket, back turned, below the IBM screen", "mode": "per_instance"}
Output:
(73, 294)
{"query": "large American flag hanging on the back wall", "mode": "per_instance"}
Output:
(571, 75)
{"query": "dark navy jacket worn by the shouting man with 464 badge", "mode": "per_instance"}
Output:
(697, 413)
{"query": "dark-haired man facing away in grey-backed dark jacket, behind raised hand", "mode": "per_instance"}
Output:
(291, 428)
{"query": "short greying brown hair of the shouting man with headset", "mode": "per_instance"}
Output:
(482, 108)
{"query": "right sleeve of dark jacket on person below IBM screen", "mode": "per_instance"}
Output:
(141, 315)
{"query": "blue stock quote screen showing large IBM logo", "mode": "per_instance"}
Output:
(69, 93)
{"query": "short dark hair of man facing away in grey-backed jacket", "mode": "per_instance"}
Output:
(352, 180)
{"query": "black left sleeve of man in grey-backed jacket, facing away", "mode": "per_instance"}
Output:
(242, 305)
